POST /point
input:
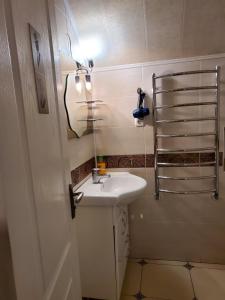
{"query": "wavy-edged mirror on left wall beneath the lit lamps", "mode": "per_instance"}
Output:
(77, 102)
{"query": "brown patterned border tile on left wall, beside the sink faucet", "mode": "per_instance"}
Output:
(78, 174)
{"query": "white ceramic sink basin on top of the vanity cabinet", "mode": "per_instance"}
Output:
(121, 188)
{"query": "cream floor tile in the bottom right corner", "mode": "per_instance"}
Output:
(209, 284)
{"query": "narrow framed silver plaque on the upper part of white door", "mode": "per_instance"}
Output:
(39, 72)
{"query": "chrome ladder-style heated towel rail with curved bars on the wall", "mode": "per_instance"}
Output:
(159, 122)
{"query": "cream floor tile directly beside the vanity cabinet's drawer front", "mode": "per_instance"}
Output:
(132, 281)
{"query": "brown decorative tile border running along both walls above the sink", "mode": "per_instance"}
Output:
(140, 161)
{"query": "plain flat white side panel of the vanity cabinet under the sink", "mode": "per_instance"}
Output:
(96, 252)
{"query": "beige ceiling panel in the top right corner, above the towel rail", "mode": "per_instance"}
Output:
(203, 21)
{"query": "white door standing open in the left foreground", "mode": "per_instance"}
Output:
(32, 155)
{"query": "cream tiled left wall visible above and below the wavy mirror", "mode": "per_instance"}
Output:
(80, 149)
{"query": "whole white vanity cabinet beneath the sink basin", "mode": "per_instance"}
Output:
(103, 240)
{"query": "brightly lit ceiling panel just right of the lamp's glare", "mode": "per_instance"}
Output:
(126, 25)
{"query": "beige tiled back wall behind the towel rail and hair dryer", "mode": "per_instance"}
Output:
(175, 227)
